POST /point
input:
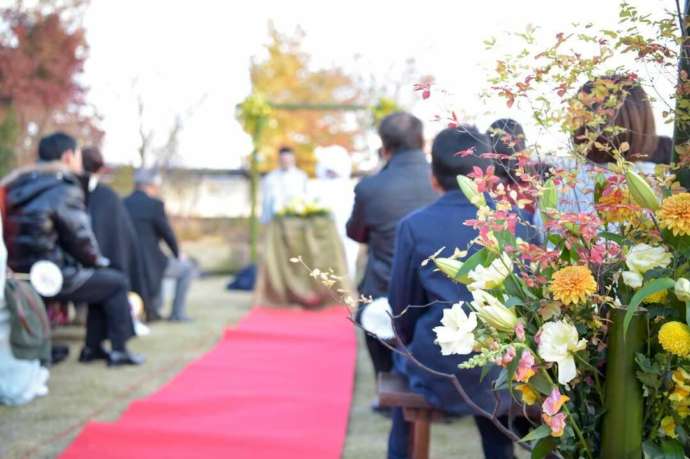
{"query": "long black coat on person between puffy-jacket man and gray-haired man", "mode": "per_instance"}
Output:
(116, 236)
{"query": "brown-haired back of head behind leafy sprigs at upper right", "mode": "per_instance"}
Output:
(616, 110)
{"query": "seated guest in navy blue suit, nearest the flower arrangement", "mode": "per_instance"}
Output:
(419, 235)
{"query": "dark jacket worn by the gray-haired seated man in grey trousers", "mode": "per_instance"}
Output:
(152, 225)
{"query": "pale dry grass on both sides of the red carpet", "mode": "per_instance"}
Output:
(79, 393)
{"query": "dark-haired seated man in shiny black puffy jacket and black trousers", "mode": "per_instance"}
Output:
(47, 220)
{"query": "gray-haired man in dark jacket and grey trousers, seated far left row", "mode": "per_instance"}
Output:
(152, 226)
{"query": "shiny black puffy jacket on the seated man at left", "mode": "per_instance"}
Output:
(47, 220)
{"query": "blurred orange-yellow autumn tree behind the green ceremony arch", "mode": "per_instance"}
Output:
(286, 76)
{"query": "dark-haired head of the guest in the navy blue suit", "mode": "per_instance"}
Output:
(447, 162)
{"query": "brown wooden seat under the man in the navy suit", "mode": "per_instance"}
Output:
(393, 392)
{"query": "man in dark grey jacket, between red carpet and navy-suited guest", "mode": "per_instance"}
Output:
(401, 187)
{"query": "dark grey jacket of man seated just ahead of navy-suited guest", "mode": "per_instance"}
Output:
(381, 201)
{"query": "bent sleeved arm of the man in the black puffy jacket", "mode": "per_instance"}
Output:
(73, 226)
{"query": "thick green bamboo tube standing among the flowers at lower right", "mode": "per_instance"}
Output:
(622, 427)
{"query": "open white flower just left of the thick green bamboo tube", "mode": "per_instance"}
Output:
(558, 343)
